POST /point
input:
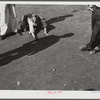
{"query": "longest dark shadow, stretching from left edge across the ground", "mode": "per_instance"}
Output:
(31, 48)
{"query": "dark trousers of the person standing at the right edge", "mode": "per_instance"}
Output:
(95, 25)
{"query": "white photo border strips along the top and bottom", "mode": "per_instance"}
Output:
(32, 94)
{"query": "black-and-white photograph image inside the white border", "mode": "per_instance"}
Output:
(49, 47)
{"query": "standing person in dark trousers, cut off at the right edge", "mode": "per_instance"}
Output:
(94, 45)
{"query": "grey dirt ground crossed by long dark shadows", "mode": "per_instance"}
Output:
(54, 62)
